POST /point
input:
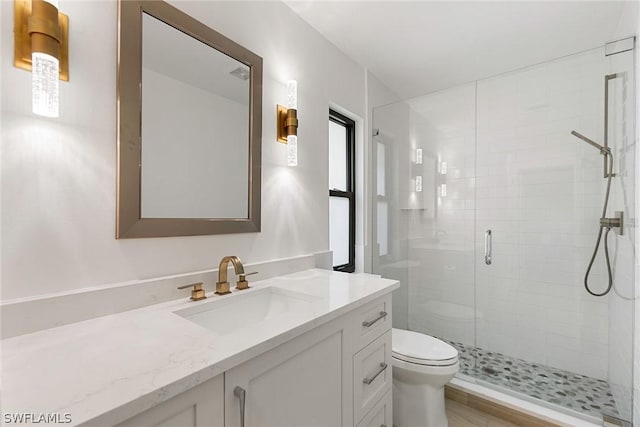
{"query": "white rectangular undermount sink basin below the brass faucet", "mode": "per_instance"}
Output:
(228, 315)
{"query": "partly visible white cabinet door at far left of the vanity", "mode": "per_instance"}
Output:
(202, 406)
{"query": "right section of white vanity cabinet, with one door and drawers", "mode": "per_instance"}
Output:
(333, 375)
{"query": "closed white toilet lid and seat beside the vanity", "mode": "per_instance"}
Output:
(422, 349)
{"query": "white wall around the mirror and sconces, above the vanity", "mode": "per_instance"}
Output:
(58, 176)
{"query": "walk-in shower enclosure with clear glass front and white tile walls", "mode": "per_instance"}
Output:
(487, 209)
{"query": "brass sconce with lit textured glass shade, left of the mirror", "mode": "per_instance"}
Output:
(41, 45)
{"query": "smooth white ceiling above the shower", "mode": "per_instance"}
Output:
(419, 47)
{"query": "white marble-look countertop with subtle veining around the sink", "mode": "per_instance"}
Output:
(107, 369)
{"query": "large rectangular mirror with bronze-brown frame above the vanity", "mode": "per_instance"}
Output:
(189, 127)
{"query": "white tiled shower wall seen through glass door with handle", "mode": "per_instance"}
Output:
(540, 190)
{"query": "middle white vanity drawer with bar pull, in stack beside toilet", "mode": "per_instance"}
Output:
(371, 375)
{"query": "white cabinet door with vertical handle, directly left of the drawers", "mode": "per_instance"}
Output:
(305, 382)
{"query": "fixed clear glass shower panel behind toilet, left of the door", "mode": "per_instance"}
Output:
(424, 157)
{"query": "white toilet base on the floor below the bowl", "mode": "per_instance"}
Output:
(418, 405)
